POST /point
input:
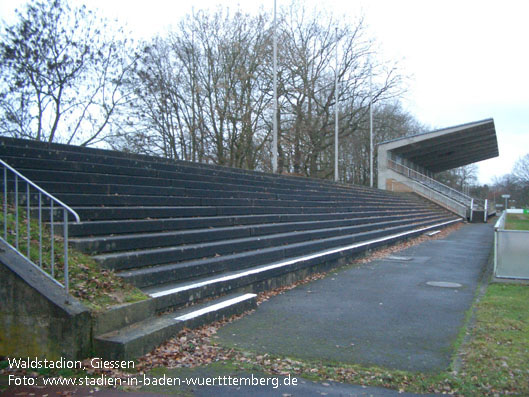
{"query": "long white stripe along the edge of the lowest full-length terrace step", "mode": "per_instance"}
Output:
(291, 261)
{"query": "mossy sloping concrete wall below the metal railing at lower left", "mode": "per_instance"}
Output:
(37, 317)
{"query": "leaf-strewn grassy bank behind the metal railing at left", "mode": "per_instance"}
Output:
(96, 288)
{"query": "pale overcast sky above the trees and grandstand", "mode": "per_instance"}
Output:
(468, 60)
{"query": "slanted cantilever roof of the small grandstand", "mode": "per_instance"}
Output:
(448, 148)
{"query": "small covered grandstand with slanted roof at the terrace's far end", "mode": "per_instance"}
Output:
(411, 163)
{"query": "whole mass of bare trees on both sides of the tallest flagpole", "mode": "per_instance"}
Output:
(204, 93)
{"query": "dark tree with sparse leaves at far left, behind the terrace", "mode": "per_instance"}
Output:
(60, 74)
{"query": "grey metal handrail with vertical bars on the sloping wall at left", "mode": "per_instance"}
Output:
(52, 199)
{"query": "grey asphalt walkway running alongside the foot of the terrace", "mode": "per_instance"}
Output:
(382, 313)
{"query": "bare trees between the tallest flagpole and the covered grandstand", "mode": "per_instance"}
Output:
(309, 43)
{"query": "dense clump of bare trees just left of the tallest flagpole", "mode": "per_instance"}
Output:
(200, 92)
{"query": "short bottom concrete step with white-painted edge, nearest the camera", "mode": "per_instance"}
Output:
(140, 338)
